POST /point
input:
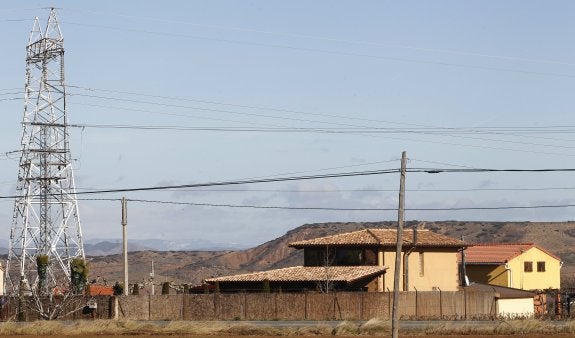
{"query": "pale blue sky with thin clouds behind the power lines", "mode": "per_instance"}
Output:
(260, 89)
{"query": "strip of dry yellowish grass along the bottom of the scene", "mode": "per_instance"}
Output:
(110, 328)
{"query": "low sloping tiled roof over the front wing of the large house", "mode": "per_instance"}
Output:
(347, 274)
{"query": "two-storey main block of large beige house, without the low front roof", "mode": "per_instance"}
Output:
(428, 261)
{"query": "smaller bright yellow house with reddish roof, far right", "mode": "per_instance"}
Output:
(523, 266)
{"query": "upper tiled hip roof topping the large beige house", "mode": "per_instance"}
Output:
(381, 237)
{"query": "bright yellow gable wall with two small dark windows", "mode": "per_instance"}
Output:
(550, 279)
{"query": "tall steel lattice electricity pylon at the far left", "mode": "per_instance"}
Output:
(46, 219)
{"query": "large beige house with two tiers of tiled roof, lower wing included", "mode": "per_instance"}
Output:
(362, 260)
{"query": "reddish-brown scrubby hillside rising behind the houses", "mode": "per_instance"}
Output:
(195, 266)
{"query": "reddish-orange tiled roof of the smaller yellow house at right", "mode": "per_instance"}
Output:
(497, 253)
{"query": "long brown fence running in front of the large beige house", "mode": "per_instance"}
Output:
(306, 306)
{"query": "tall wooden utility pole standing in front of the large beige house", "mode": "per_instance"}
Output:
(400, 218)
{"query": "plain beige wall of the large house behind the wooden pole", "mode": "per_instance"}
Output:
(440, 271)
